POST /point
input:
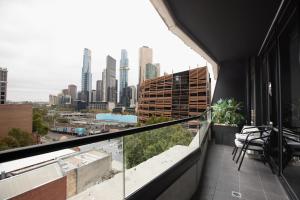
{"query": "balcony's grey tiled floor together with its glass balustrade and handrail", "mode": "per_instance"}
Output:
(198, 169)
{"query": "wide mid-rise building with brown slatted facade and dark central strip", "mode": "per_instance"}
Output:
(175, 96)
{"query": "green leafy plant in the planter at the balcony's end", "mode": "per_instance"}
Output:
(228, 112)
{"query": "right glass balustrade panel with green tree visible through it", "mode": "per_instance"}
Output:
(150, 153)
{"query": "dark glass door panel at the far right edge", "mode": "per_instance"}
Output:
(290, 83)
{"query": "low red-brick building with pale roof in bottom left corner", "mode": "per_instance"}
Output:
(47, 183)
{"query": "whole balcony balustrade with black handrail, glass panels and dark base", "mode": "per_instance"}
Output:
(91, 167)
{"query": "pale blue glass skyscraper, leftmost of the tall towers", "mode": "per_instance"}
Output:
(86, 75)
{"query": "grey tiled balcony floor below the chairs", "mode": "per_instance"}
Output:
(220, 177)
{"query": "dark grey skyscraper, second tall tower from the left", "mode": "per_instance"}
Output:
(111, 88)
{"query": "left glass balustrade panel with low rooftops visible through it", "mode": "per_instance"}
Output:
(93, 171)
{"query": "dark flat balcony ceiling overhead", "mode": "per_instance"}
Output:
(226, 30)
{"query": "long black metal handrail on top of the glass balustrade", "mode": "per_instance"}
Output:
(23, 152)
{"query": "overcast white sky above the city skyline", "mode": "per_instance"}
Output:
(42, 42)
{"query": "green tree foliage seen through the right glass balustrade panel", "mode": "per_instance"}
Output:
(142, 146)
